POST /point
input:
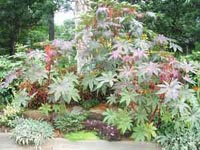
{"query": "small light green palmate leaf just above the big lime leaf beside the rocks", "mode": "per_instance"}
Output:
(128, 96)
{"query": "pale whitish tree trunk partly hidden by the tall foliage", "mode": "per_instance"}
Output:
(81, 6)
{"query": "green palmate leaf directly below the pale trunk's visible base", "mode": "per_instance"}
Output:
(89, 81)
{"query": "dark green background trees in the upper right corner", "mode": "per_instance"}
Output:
(179, 20)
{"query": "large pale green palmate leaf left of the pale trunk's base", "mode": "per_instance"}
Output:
(65, 89)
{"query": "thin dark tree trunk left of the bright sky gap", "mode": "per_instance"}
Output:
(51, 26)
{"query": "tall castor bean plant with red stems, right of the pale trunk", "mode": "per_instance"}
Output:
(128, 62)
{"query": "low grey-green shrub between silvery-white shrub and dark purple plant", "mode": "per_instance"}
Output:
(69, 122)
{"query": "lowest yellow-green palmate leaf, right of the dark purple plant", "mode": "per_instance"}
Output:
(144, 132)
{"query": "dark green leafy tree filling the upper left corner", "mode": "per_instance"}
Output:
(17, 16)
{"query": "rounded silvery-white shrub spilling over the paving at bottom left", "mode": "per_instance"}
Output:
(28, 131)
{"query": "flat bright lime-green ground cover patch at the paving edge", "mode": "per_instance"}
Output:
(81, 135)
